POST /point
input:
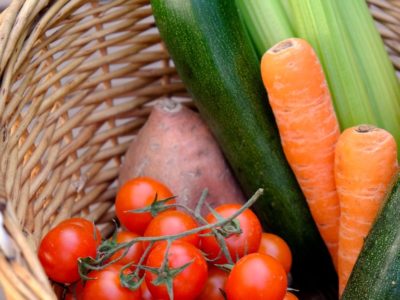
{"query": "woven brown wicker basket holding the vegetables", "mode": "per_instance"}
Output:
(78, 81)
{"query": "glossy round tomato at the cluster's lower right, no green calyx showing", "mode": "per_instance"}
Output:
(257, 277)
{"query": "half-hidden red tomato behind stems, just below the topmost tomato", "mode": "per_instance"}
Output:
(135, 251)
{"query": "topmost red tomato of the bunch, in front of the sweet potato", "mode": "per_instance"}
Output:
(138, 193)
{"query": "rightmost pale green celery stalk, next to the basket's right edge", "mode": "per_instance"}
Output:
(377, 71)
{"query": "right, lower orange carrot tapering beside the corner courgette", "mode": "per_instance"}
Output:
(365, 164)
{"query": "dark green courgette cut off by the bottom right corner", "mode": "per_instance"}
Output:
(376, 274)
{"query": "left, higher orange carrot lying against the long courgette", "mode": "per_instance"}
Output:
(302, 106)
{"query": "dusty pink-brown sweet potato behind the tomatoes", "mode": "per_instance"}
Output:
(176, 147)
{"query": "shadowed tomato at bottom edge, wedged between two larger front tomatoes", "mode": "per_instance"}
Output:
(215, 283)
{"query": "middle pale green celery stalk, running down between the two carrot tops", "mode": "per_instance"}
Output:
(319, 22)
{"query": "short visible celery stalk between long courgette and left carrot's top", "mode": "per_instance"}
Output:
(266, 22)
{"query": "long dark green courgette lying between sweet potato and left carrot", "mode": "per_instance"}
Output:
(216, 61)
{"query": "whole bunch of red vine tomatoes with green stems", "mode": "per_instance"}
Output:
(233, 261)
